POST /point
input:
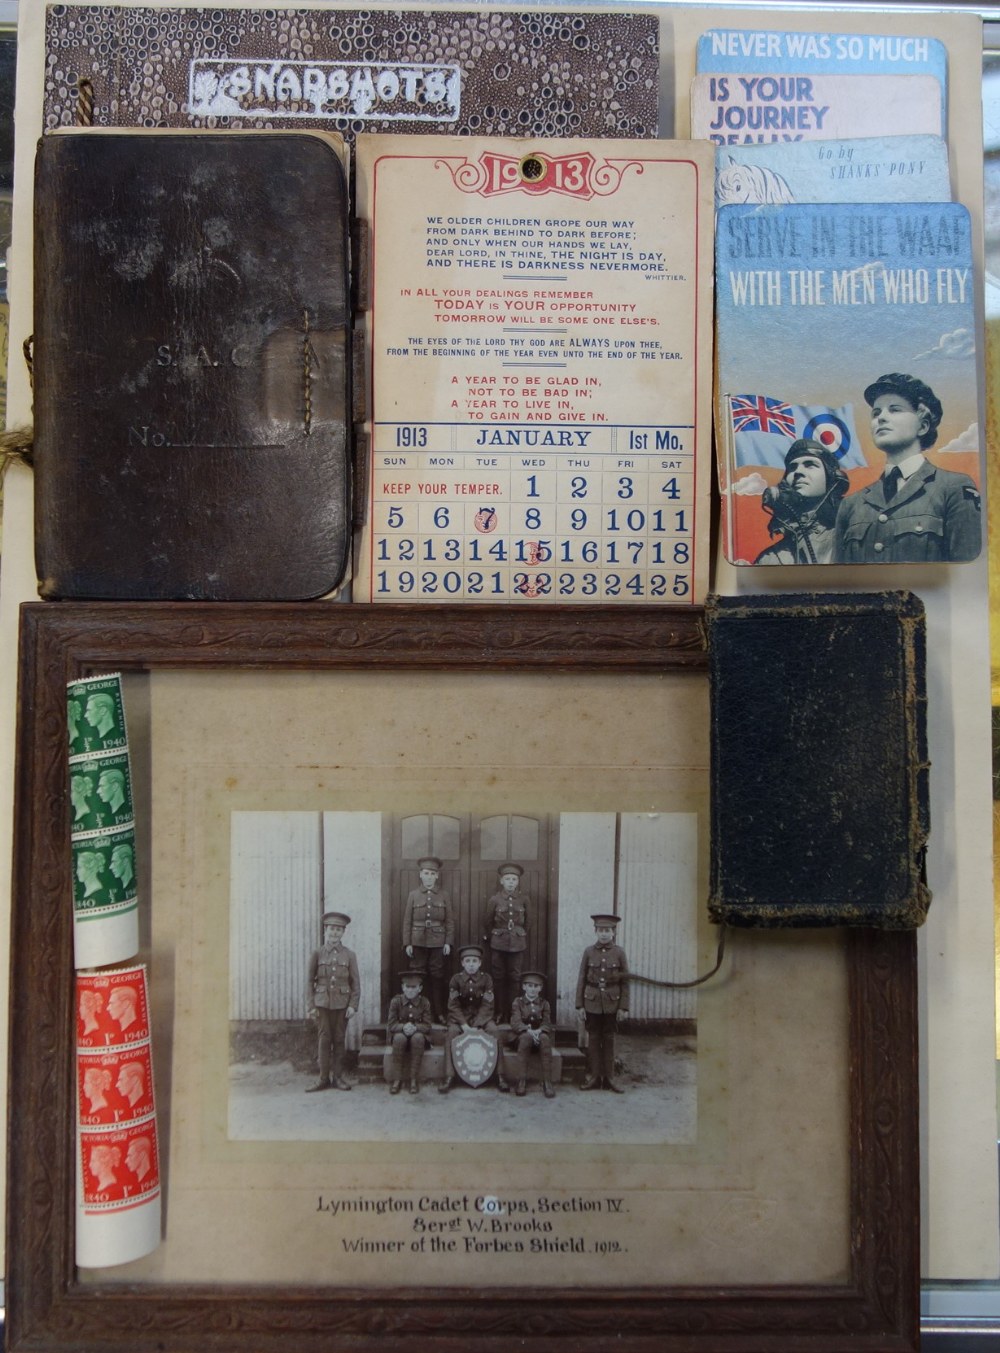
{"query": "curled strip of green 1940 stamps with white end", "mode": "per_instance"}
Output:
(102, 823)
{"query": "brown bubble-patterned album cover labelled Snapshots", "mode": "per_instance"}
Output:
(504, 74)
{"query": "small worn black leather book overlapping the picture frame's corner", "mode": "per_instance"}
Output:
(819, 760)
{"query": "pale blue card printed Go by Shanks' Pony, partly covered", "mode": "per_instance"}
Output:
(861, 170)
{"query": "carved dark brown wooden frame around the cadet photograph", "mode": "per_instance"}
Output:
(51, 1306)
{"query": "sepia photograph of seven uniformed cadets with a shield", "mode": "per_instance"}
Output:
(476, 975)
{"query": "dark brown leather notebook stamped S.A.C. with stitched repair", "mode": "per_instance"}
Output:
(191, 374)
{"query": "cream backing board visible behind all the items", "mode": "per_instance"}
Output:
(960, 1185)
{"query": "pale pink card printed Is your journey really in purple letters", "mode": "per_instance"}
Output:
(734, 110)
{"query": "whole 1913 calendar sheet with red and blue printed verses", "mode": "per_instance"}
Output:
(541, 357)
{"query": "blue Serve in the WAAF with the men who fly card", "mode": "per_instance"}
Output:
(848, 420)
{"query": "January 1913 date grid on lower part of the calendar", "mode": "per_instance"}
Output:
(553, 520)
